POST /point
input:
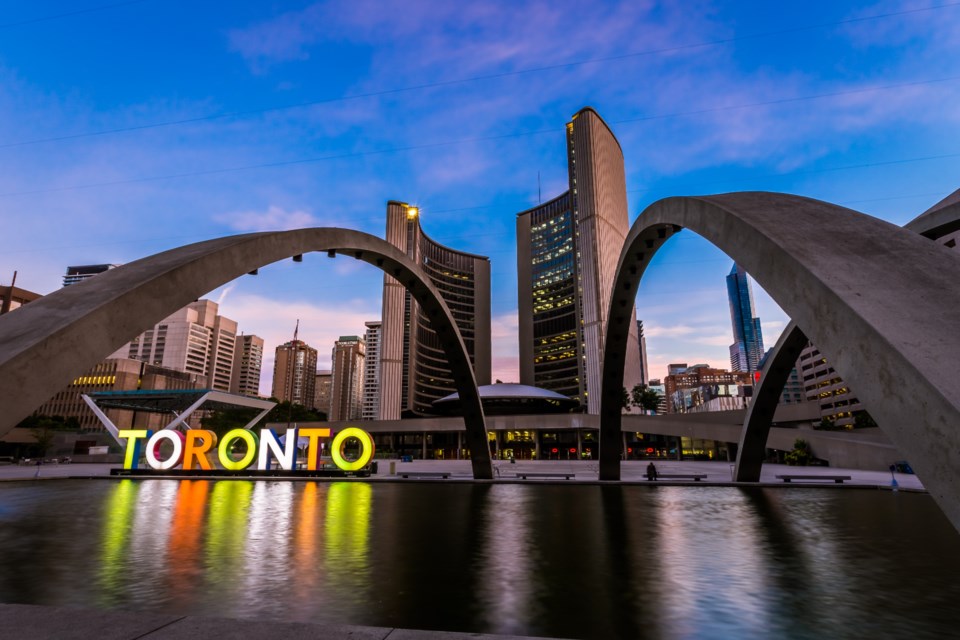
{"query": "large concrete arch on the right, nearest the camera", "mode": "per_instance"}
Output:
(865, 291)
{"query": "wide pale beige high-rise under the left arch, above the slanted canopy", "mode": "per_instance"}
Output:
(195, 339)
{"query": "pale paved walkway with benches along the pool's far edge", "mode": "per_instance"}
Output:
(634, 471)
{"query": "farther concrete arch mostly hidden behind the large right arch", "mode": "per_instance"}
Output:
(939, 220)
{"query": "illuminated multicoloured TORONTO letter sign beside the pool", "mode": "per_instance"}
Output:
(195, 448)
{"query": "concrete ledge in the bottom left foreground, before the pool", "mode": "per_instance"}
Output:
(31, 622)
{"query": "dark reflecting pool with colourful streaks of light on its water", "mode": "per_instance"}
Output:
(580, 561)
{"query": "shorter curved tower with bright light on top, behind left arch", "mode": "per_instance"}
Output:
(413, 366)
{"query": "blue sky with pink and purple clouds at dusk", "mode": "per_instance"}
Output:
(127, 128)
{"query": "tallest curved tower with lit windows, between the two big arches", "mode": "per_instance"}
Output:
(567, 253)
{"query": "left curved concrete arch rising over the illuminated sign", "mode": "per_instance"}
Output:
(46, 344)
